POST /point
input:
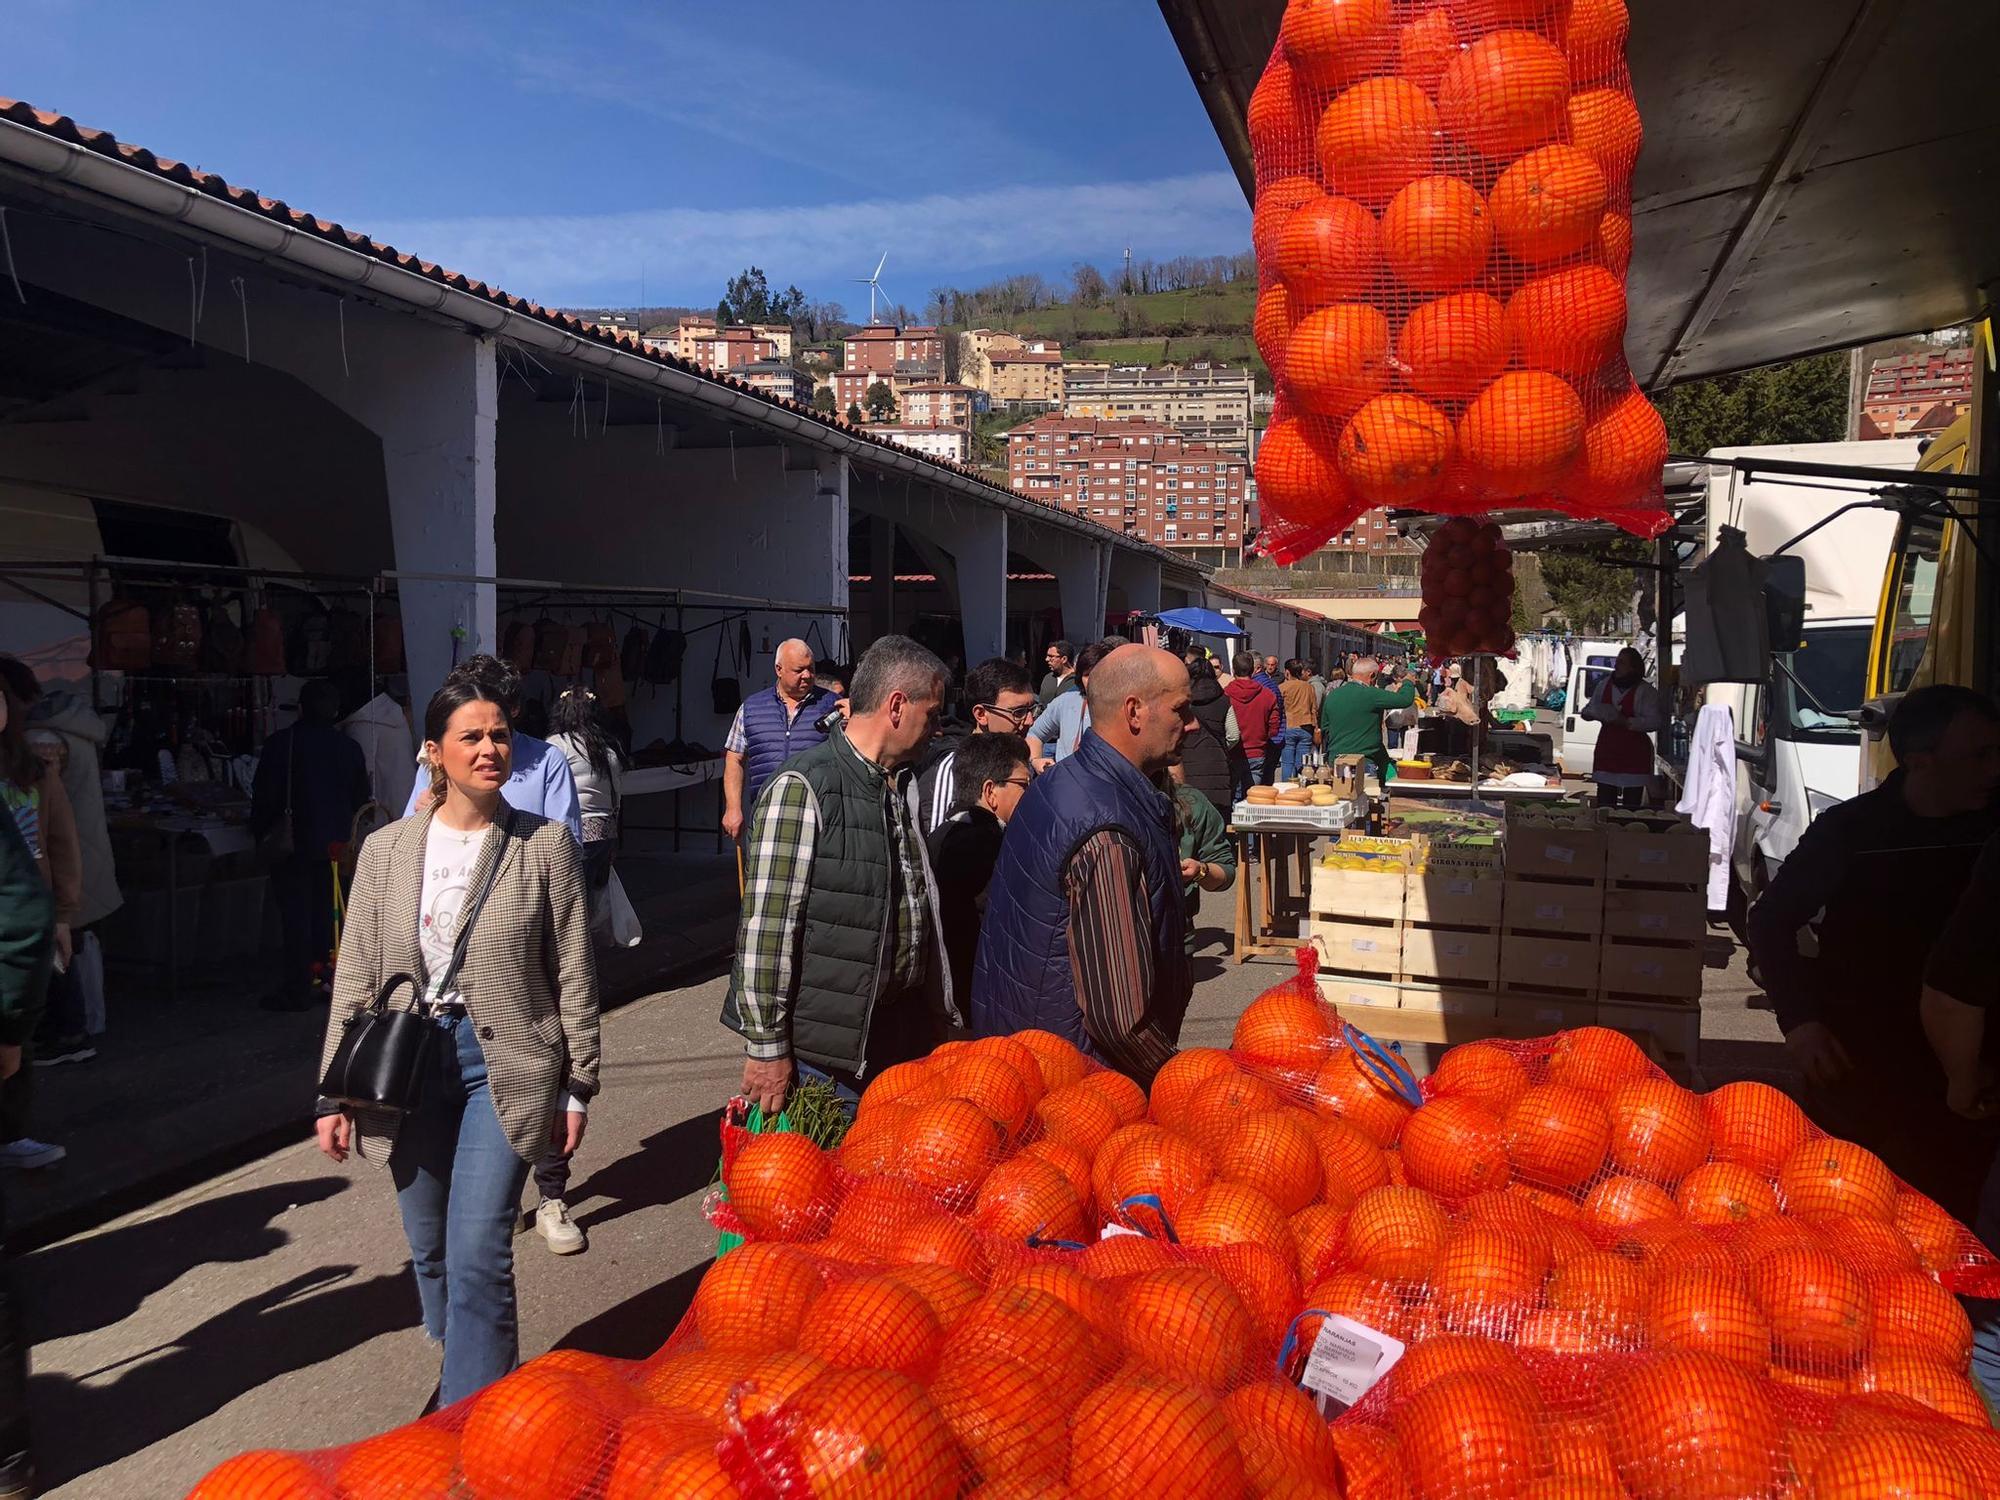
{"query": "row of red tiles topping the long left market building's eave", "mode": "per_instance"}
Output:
(103, 143)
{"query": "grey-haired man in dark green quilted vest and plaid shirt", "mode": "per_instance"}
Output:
(841, 965)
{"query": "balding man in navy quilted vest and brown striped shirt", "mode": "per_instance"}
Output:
(1085, 911)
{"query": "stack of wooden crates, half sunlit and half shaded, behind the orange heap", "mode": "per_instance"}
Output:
(1591, 923)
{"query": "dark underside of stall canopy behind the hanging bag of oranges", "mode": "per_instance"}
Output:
(1817, 173)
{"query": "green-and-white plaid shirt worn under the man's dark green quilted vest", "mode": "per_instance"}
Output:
(779, 847)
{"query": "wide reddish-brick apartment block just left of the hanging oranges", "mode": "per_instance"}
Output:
(1137, 477)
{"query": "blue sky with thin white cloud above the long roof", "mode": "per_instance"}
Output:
(567, 151)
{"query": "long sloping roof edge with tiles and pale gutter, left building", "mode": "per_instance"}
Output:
(51, 153)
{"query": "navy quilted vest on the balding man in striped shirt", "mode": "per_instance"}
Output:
(1023, 973)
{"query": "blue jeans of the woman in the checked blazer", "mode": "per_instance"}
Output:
(459, 1189)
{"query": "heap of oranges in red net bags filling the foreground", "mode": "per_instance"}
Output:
(1551, 1275)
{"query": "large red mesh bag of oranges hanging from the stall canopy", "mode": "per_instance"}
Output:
(1443, 231)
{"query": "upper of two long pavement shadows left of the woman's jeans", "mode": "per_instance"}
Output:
(103, 1279)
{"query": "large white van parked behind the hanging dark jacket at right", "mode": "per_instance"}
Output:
(1797, 753)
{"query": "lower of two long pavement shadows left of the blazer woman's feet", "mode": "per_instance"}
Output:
(315, 1317)
